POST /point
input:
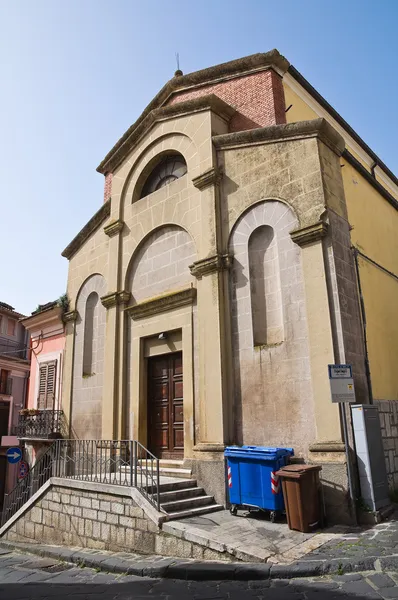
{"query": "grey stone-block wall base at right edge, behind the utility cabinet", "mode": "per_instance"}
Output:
(388, 413)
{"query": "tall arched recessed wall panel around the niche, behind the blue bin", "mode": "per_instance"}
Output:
(273, 395)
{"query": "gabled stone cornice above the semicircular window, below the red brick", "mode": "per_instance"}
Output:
(136, 131)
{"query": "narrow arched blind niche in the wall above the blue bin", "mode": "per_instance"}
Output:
(265, 287)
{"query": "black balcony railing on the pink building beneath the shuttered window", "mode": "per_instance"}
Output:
(43, 425)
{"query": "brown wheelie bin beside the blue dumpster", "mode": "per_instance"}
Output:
(301, 491)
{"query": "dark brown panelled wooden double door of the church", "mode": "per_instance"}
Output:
(165, 406)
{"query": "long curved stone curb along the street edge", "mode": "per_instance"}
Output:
(171, 568)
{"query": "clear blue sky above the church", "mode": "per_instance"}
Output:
(75, 74)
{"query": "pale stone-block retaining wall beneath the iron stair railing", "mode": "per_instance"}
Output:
(69, 513)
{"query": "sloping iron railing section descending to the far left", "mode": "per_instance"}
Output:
(43, 469)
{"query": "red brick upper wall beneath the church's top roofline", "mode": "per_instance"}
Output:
(258, 98)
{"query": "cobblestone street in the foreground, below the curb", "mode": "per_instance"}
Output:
(26, 577)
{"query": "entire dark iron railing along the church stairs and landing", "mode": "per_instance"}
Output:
(116, 462)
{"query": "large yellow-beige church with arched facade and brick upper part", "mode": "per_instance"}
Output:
(243, 221)
